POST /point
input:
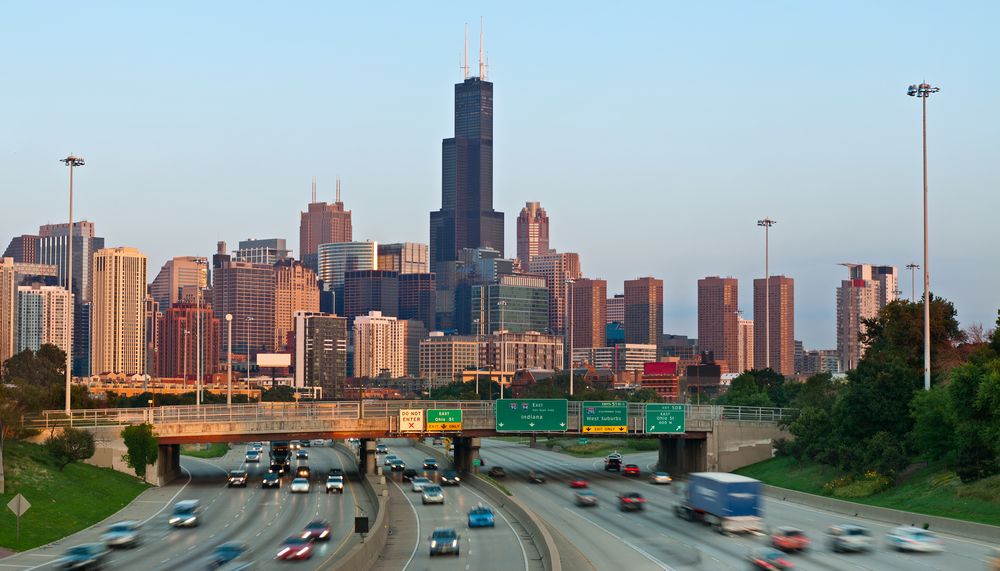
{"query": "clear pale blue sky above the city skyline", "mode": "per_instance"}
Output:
(654, 134)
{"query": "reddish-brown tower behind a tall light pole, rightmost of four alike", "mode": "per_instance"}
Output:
(780, 328)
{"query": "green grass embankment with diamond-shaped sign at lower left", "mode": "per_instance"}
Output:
(61, 502)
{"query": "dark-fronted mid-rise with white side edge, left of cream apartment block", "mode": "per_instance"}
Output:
(321, 352)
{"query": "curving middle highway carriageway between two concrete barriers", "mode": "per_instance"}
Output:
(498, 549)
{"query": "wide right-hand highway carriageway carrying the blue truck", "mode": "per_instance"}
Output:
(656, 539)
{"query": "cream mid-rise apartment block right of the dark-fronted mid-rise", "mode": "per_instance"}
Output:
(379, 346)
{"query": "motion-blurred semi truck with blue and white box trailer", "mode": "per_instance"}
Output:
(728, 502)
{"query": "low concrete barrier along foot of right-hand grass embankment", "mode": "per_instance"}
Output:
(967, 529)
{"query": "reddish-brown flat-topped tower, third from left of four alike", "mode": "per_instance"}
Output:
(718, 320)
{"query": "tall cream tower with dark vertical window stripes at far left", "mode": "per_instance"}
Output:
(118, 322)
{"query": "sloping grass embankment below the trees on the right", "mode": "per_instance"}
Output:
(931, 490)
